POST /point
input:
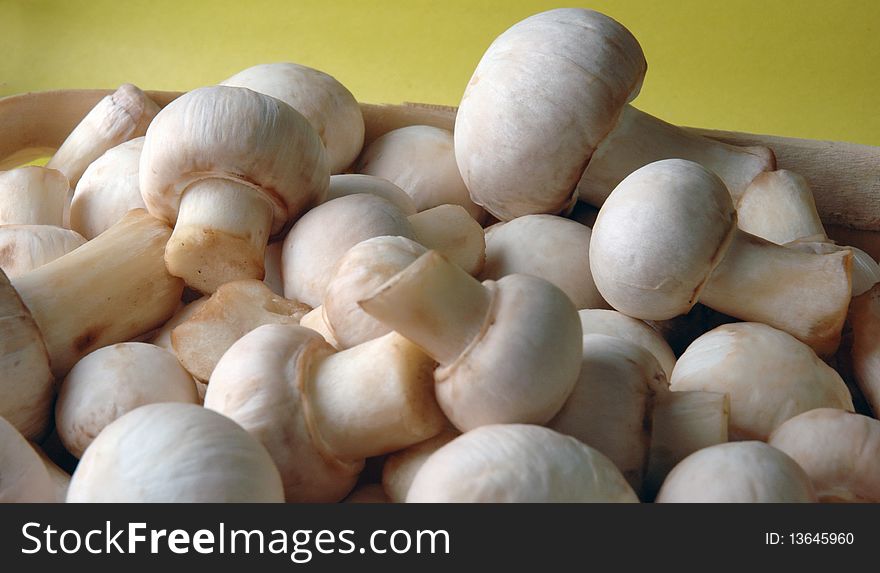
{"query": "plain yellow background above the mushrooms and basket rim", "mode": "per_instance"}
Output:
(807, 68)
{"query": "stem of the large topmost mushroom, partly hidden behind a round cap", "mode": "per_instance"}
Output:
(639, 139)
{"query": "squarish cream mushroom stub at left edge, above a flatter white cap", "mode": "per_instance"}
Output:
(32, 195)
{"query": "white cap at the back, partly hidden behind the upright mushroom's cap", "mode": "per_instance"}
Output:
(328, 105)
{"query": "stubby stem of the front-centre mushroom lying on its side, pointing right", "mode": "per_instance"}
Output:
(374, 398)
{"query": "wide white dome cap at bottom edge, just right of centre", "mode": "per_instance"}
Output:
(514, 463)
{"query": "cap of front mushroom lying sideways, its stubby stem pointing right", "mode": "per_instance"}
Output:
(260, 383)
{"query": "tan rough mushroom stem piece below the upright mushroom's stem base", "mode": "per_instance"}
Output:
(233, 310)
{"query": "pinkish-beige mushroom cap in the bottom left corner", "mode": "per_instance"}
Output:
(23, 475)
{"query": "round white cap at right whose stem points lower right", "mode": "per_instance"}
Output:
(659, 236)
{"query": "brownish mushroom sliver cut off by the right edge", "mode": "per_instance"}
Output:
(865, 319)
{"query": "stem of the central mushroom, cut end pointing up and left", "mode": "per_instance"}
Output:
(435, 304)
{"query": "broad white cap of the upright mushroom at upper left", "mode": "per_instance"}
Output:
(239, 135)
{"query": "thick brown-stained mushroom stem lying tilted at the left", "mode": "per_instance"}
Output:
(112, 289)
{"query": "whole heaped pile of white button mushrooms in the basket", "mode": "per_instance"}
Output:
(255, 290)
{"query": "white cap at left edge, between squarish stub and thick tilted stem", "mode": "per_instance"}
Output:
(24, 248)
